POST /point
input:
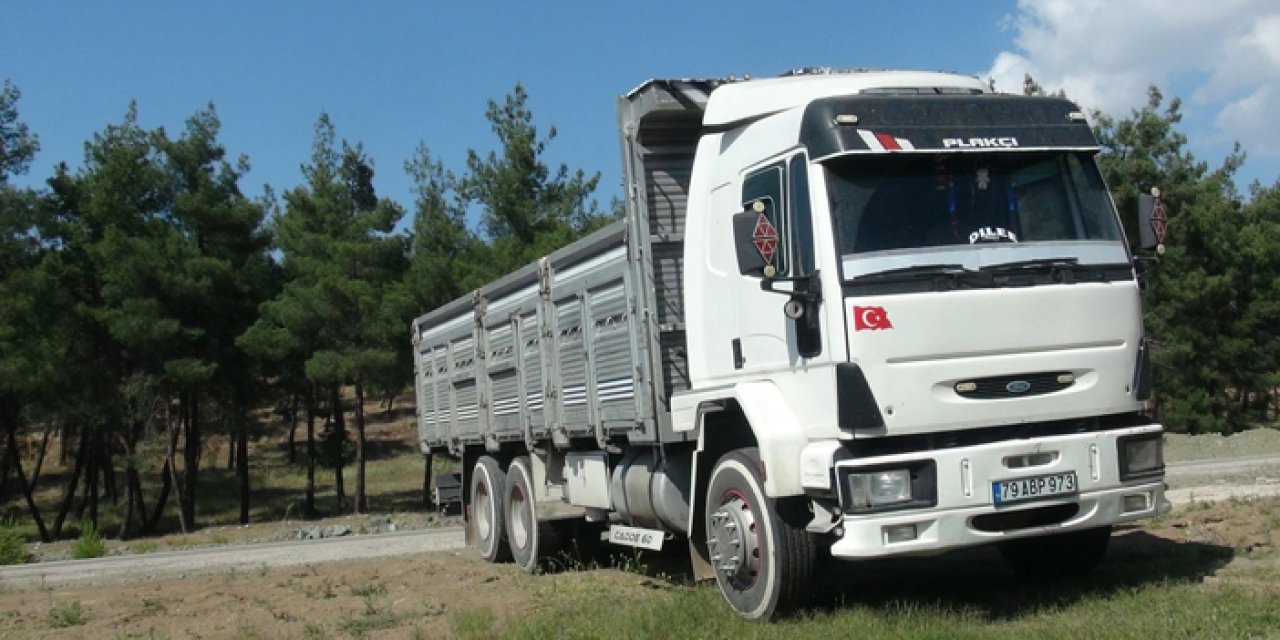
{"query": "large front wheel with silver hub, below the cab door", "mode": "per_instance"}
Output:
(764, 563)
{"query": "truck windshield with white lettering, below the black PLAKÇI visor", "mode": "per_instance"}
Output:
(917, 202)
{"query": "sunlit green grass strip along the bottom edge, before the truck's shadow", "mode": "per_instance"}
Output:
(1165, 610)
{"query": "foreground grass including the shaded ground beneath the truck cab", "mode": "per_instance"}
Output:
(1149, 587)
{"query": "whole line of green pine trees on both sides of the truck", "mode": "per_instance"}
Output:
(145, 299)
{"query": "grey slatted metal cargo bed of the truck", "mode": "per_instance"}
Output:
(588, 344)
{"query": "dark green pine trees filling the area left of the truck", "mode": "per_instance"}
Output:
(147, 298)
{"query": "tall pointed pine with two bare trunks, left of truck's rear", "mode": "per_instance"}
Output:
(340, 263)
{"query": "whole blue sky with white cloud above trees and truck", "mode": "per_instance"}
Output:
(395, 74)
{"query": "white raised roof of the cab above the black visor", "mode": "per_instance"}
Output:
(739, 102)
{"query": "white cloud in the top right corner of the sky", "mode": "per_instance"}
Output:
(1222, 54)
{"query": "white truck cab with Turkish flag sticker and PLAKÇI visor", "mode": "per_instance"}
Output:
(920, 298)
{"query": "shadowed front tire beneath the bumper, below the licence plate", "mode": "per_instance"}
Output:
(1058, 556)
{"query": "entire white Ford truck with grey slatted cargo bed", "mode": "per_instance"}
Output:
(857, 314)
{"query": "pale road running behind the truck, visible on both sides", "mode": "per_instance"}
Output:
(253, 557)
